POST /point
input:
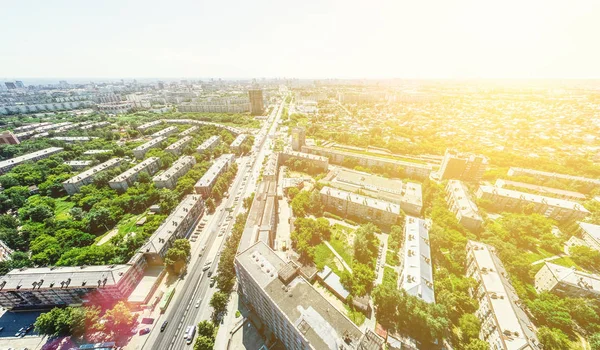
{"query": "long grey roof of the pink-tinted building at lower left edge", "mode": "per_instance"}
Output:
(69, 276)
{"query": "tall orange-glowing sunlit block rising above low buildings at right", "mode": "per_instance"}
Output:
(459, 166)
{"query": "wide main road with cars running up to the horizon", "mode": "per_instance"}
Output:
(183, 311)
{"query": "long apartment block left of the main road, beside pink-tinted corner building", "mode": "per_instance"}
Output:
(178, 225)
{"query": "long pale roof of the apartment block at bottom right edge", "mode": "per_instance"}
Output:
(510, 317)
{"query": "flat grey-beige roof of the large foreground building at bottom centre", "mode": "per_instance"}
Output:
(321, 324)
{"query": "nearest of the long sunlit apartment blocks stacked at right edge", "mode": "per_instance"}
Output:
(510, 200)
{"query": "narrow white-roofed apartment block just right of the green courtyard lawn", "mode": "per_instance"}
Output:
(416, 276)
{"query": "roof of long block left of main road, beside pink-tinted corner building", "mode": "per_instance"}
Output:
(163, 233)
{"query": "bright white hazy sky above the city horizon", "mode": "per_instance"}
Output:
(304, 39)
